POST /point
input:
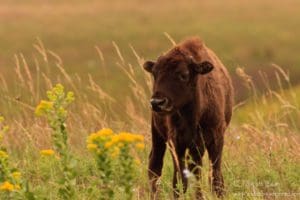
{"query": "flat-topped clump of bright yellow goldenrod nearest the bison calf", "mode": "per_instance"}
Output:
(116, 162)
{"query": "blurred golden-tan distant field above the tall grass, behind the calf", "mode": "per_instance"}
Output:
(252, 35)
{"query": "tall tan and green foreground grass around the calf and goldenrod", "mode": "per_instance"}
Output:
(261, 158)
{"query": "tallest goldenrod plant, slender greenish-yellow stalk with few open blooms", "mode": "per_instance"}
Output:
(54, 109)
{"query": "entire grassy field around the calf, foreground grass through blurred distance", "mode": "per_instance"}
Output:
(44, 43)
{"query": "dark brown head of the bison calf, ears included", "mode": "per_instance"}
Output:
(174, 81)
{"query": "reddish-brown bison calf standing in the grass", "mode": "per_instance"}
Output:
(192, 106)
